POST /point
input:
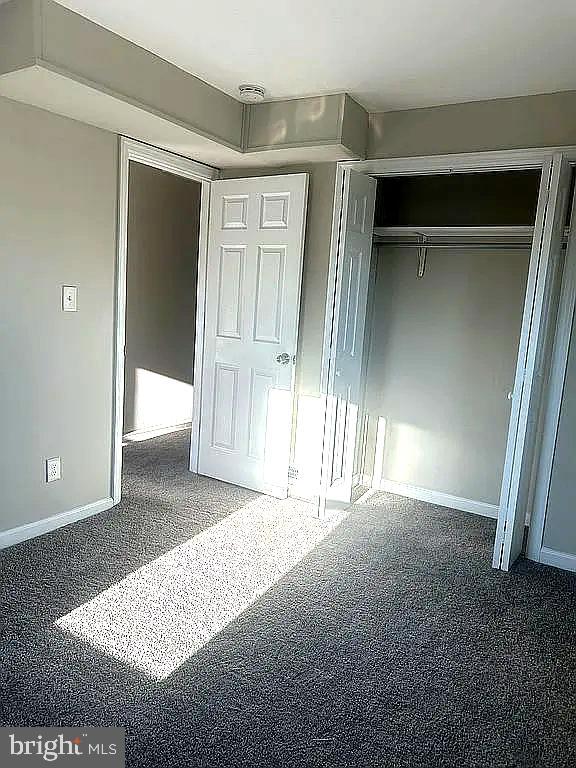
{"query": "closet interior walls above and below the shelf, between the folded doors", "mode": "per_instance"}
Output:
(441, 349)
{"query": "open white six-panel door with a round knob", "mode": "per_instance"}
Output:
(254, 268)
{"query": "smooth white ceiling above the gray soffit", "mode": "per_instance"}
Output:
(388, 54)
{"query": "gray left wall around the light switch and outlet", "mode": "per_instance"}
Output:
(57, 226)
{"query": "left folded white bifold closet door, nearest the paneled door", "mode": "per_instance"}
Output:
(345, 378)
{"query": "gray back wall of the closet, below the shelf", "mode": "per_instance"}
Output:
(441, 364)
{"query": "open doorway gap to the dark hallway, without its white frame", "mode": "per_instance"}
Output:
(162, 248)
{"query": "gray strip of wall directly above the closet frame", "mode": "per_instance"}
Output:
(547, 120)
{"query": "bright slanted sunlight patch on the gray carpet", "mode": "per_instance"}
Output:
(163, 613)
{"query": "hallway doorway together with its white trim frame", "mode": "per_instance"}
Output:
(163, 206)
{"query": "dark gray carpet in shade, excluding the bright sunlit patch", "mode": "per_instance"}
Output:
(392, 644)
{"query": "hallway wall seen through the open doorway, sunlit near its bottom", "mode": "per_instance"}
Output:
(163, 222)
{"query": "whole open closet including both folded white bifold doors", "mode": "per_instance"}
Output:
(460, 305)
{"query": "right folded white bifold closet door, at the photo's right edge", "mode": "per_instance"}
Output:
(532, 370)
